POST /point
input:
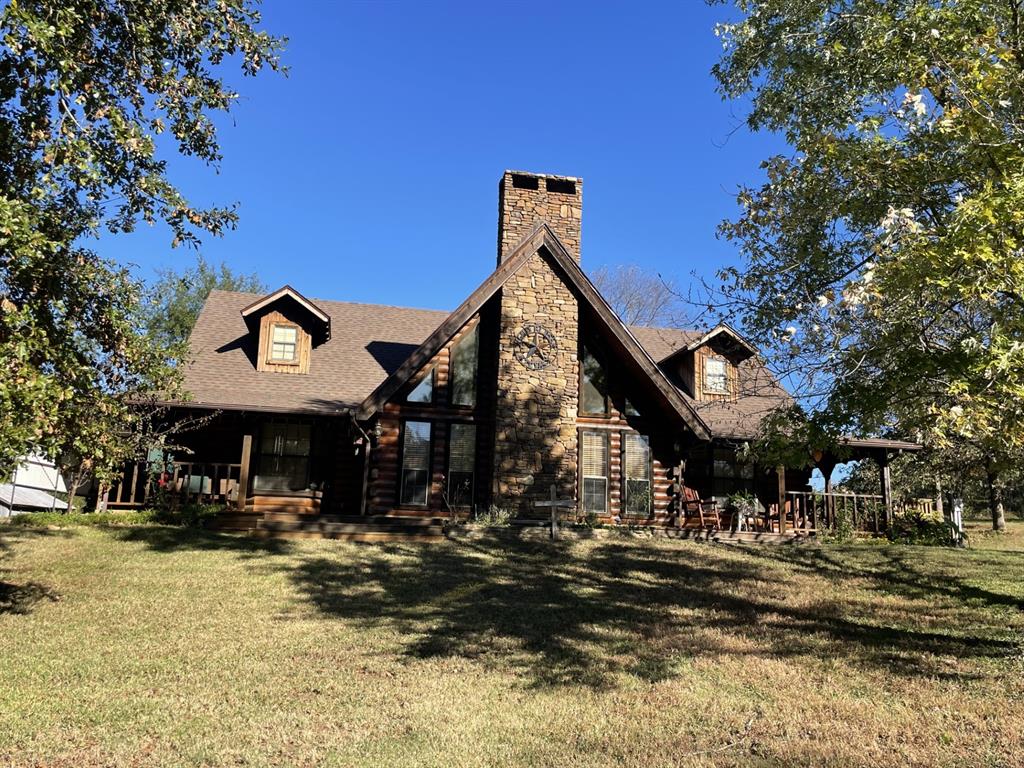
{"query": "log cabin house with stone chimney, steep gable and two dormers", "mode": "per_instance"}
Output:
(328, 411)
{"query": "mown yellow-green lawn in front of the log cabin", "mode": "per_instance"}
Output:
(153, 646)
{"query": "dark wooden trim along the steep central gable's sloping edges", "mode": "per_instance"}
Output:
(543, 240)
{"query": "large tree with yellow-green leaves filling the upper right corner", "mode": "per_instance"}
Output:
(882, 255)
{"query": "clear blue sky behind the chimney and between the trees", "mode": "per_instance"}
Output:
(370, 174)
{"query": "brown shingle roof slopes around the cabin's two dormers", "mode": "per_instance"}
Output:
(371, 342)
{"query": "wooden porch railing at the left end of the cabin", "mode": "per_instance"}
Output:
(187, 483)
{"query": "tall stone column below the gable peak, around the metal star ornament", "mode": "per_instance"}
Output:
(536, 411)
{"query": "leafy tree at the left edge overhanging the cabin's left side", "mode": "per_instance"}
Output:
(91, 92)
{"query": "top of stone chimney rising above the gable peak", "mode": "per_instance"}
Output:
(525, 199)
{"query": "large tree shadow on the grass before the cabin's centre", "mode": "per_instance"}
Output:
(561, 619)
